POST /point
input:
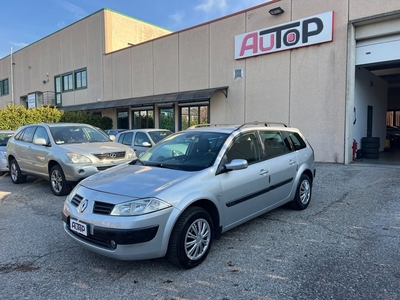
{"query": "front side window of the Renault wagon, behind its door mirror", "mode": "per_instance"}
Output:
(245, 146)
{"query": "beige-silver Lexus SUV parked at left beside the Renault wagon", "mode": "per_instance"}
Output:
(63, 153)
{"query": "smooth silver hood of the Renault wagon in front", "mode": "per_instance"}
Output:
(134, 180)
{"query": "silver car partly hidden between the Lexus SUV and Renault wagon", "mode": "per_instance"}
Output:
(141, 140)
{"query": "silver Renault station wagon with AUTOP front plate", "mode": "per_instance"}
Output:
(189, 189)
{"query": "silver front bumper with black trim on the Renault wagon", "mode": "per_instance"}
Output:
(123, 238)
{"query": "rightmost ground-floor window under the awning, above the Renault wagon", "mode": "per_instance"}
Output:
(191, 115)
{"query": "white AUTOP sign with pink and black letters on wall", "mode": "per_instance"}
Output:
(304, 32)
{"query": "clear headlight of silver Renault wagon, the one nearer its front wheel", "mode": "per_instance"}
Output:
(139, 207)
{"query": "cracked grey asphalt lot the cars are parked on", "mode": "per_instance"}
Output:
(345, 245)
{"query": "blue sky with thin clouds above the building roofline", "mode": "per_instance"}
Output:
(23, 22)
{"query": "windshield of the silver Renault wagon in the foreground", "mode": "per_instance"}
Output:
(188, 151)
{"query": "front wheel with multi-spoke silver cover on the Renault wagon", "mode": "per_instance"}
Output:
(191, 238)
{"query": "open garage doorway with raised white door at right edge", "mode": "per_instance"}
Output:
(377, 90)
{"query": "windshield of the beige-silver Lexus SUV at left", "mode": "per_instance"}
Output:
(78, 134)
